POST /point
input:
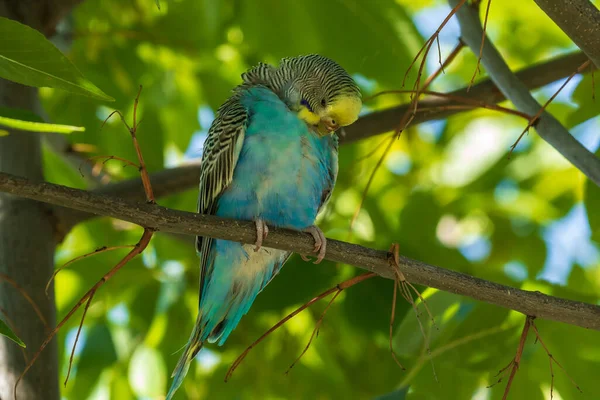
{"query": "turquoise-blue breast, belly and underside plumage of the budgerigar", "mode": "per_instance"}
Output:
(283, 173)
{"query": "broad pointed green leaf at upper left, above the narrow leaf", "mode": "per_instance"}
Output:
(27, 57)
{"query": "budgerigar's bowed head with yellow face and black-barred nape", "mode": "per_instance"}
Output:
(318, 89)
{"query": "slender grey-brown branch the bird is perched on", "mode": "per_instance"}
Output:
(166, 220)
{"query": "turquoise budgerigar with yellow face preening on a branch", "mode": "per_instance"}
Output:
(270, 157)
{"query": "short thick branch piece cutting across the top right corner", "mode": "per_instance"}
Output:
(580, 20)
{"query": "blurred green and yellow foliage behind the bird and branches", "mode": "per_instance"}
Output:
(447, 192)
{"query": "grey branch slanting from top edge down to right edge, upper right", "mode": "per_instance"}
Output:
(547, 126)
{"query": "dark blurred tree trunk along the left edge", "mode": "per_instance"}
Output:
(26, 246)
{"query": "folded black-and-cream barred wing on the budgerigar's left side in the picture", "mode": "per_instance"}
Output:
(219, 158)
